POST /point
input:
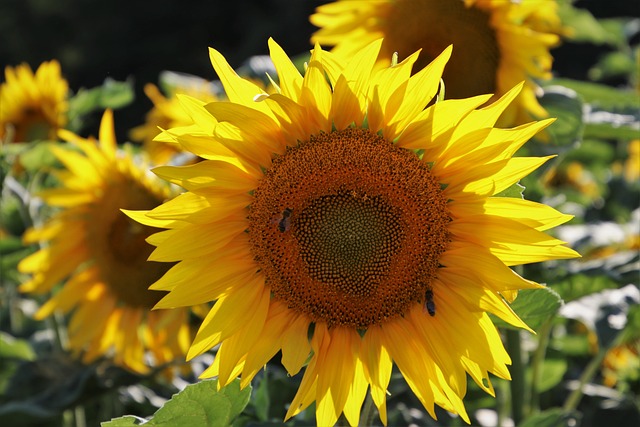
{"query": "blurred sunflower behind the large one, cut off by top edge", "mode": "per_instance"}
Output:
(498, 43)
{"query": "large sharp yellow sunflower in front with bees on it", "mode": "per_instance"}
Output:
(342, 223)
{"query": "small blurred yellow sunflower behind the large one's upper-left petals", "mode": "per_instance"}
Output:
(166, 113)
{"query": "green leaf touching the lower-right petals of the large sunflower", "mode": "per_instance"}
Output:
(534, 306)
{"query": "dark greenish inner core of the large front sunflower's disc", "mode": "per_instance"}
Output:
(348, 241)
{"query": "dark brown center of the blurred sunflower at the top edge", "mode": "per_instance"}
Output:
(432, 25)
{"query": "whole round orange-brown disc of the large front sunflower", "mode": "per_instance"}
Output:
(348, 228)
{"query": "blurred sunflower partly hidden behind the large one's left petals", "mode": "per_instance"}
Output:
(101, 255)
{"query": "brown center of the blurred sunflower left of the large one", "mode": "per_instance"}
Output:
(119, 247)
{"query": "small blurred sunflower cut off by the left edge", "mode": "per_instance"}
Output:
(33, 106)
